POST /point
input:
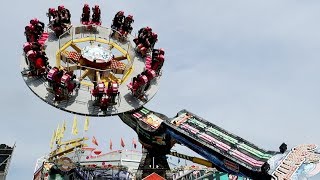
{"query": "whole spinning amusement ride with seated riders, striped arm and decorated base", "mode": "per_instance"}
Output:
(93, 70)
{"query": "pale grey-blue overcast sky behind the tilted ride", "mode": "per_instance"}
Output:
(251, 67)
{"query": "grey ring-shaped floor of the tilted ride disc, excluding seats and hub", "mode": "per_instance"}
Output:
(81, 101)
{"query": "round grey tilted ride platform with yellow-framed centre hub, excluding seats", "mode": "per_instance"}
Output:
(98, 51)
